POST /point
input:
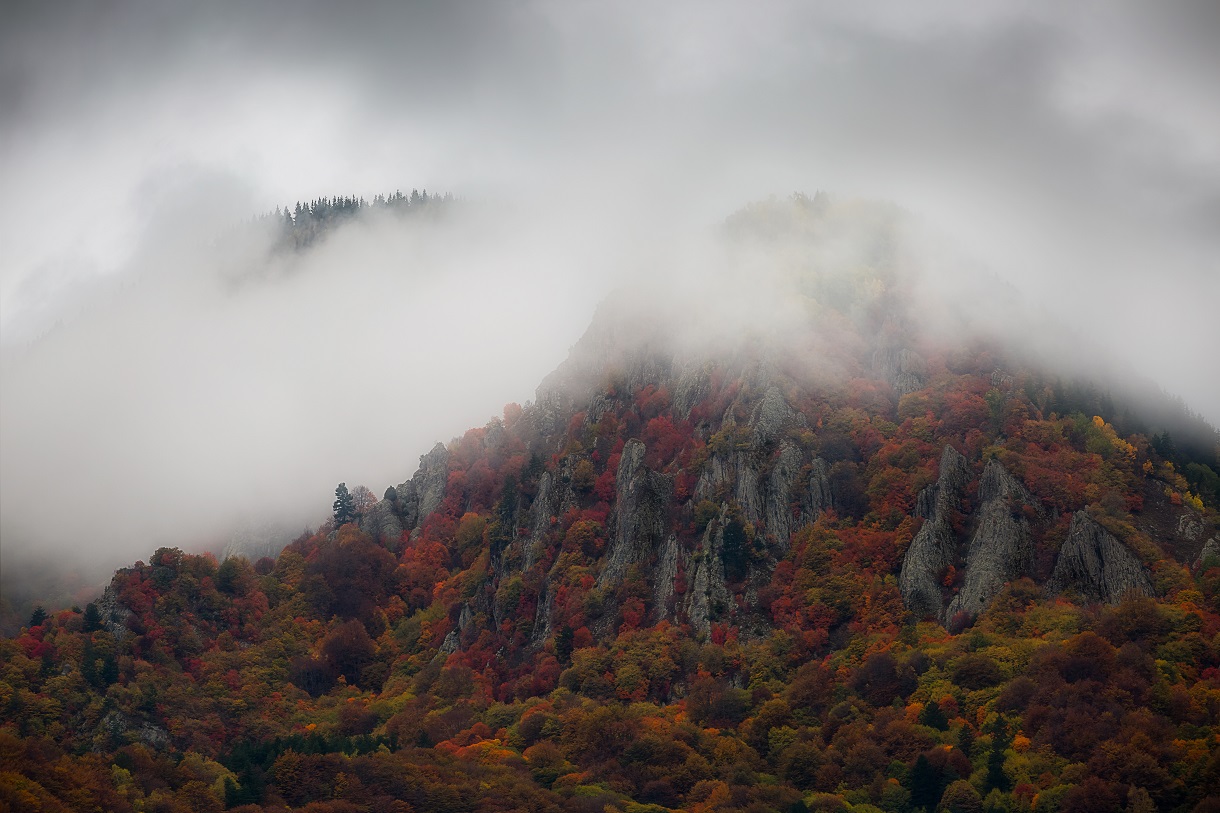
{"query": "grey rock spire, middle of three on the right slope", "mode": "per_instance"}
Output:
(1001, 549)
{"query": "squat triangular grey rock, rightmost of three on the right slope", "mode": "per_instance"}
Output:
(1096, 566)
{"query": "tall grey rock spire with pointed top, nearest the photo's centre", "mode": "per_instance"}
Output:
(640, 515)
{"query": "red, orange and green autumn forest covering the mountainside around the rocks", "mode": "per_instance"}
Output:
(483, 662)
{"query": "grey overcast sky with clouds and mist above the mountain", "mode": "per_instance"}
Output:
(1072, 147)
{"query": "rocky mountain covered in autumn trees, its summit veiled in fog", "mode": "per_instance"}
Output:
(838, 539)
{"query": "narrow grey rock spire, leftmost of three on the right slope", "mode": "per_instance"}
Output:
(934, 547)
